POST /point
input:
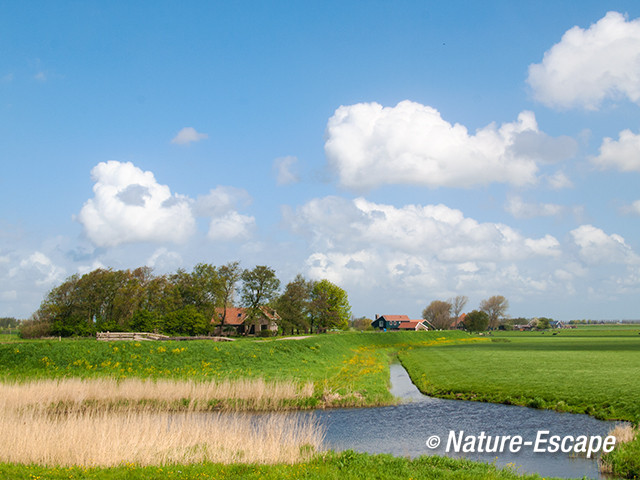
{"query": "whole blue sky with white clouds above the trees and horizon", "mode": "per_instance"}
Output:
(407, 151)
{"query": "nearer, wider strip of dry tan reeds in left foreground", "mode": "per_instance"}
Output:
(147, 438)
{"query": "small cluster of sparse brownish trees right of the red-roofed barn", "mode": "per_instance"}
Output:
(442, 314)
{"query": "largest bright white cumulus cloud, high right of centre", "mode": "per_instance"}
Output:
(370, 145)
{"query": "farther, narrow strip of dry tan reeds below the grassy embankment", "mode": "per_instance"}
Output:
(74, 393)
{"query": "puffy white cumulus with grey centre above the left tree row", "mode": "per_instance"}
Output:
(129, 205)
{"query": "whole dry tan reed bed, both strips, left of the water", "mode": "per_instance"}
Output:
(31, 431)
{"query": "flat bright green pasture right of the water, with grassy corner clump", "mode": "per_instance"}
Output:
(590, 370)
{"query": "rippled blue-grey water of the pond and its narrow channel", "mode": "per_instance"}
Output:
(402, 430)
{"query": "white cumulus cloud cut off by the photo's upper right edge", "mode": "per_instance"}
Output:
(590, 65)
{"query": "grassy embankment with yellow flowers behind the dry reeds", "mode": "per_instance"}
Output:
(344, 370)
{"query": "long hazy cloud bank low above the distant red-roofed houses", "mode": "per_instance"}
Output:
(417, 248)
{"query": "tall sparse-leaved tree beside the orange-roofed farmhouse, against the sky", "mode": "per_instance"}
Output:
(259, 288)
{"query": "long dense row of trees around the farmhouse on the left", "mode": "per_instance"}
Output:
(184, 303)
